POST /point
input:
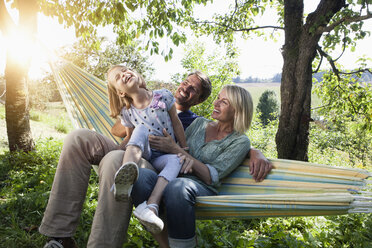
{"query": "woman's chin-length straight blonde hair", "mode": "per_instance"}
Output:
(241, 100)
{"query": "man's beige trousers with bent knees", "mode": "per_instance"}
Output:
(81, 149)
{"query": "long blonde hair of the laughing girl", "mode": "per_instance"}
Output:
(116, 102)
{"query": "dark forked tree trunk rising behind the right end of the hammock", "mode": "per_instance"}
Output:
(299, 51)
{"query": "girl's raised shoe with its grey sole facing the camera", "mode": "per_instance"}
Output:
(124, 179)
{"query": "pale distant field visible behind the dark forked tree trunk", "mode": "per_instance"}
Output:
(256, 90)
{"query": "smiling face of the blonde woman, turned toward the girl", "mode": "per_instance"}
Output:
(223, 111)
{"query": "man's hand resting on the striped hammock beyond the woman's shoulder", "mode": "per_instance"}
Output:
(259, 166)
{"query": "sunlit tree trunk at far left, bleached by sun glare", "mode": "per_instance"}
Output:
(16, 71)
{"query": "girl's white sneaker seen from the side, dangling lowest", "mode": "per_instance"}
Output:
(148, 218)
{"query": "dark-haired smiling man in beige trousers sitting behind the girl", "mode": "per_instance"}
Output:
(85, 147)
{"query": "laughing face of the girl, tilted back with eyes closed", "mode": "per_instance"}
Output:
(124, 80)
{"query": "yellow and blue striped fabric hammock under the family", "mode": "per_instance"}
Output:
(293, 188)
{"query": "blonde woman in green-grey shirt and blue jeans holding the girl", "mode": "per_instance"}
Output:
(216, 149)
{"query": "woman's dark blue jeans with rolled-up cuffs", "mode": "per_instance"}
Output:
(179, 199)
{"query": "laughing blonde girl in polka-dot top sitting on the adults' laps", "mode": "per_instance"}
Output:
(142, 113)
